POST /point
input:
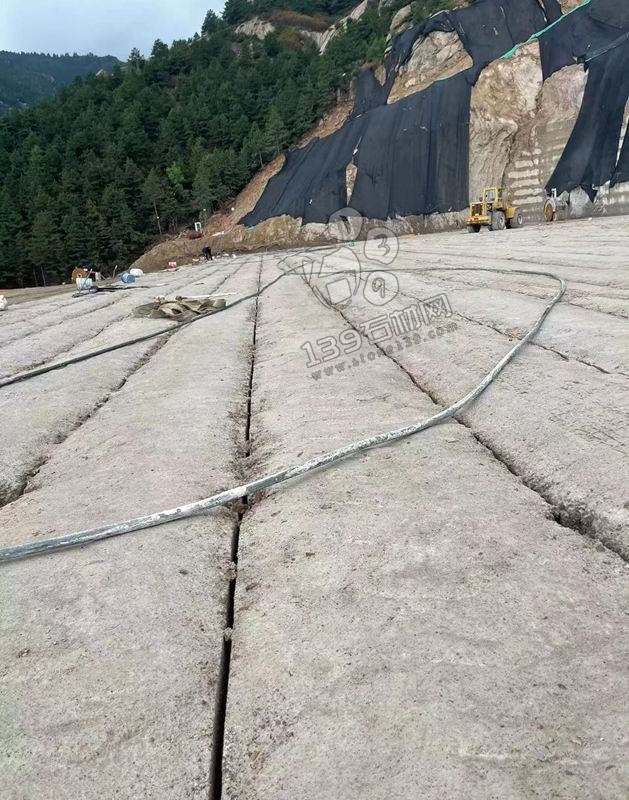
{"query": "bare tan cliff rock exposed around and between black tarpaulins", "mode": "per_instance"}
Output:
(519, 127)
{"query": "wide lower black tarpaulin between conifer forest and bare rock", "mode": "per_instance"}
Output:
(411, 158)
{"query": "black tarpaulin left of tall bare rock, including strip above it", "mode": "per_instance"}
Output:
(412, 156)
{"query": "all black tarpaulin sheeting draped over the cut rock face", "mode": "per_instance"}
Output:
(411, 157)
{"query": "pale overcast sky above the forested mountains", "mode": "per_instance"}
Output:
(104, 27)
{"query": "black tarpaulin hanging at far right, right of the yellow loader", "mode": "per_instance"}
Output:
(589, 158)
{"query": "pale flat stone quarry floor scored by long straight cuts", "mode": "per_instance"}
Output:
(445, 617)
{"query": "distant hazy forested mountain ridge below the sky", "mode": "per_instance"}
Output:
(27, 78)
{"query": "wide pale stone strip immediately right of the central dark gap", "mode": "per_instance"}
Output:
(413, 623)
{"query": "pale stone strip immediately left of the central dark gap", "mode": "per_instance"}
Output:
(110, 654)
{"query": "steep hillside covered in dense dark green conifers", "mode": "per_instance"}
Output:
(180, 131)
